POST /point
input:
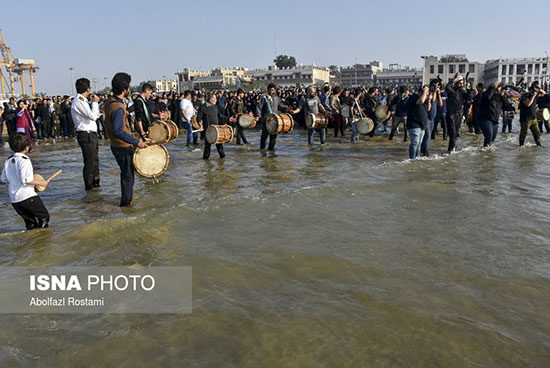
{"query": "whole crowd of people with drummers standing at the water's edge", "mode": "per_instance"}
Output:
(124, 118)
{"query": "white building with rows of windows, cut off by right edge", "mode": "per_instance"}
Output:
(510, 71)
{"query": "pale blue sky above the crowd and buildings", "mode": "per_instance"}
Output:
(153, 39)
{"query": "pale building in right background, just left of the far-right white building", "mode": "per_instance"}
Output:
(446, 67)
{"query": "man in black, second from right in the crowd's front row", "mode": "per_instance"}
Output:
(491, 105)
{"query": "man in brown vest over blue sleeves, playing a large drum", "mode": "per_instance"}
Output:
(117, 129)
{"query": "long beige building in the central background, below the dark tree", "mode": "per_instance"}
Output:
(299, 76)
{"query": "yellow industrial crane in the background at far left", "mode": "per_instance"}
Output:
(15, 68)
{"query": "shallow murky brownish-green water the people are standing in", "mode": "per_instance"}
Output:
(341, 256)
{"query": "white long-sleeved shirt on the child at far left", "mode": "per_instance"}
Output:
(17, 172)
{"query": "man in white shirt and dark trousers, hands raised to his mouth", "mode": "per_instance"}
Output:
(84, 116)
